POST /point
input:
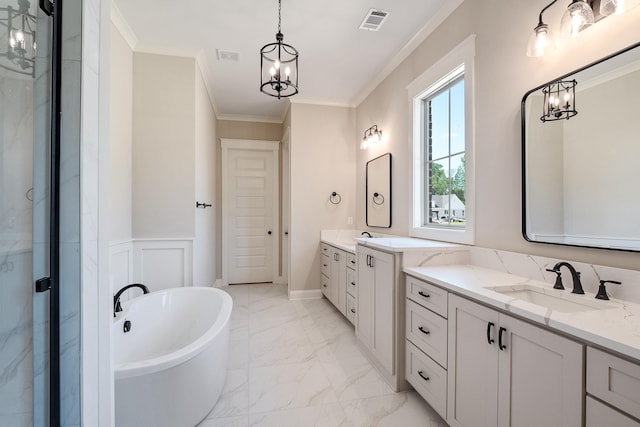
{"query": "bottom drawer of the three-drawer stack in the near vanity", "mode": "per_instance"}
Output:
(428, 378)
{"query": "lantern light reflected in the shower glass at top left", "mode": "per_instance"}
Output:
(20, 32)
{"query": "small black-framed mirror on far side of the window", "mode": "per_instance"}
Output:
(379, 191)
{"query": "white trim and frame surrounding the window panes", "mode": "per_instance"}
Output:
(463, 54)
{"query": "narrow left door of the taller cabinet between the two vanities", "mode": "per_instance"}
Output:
(364, 300)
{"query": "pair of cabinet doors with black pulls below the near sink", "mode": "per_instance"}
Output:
(506, 372)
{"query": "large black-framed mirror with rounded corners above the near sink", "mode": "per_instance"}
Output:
(580, 175)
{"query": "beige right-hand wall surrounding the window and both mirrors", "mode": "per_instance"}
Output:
(503, 74)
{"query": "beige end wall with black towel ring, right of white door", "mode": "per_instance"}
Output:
(322, 161)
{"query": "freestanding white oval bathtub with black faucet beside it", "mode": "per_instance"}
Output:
(171, 366)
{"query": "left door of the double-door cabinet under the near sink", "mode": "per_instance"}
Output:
(473, 364)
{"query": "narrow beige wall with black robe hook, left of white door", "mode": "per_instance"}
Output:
(204, 250)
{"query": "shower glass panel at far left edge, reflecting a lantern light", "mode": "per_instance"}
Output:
(17, 53)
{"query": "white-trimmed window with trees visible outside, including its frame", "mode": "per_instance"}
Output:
(442, 100)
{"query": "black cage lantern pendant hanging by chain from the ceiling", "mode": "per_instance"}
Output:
(279, 66)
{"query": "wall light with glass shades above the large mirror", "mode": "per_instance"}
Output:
(579, 15)
